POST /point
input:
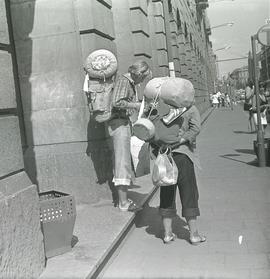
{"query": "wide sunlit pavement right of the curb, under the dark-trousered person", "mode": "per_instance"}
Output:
(235, 215)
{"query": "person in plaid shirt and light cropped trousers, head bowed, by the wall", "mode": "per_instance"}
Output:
(125, 104)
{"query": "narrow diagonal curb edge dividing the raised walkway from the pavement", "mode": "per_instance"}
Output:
(127, 228)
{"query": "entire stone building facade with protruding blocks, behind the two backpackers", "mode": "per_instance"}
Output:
(47, 137)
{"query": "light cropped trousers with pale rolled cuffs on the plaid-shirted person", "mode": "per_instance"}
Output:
(120, 132)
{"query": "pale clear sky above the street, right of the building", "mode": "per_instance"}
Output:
(248, 16)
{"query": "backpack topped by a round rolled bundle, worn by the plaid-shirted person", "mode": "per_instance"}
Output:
(101, 67)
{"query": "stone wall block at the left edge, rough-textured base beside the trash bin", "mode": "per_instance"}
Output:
(21, 240)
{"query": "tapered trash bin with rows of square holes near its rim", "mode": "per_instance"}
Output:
(57, 217)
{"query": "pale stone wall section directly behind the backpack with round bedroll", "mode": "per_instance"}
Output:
(66, 150)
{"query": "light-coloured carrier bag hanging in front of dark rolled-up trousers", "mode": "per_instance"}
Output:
(165, 171)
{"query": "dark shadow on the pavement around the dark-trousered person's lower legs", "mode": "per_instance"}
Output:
(149, 217)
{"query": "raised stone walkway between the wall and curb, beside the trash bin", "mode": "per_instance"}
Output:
(99, 229)
